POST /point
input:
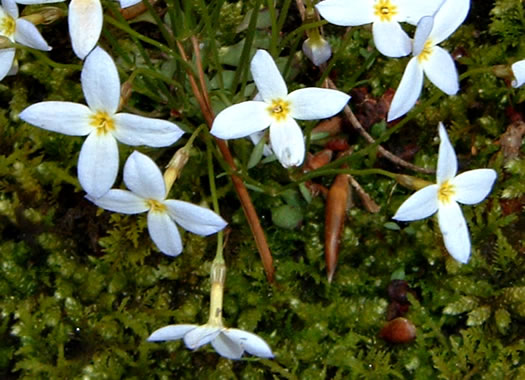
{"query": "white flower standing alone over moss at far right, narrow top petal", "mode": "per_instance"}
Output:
(469, 188)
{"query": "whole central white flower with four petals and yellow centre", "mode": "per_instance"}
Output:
(278, 109)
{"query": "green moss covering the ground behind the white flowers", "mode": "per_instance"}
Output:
(81, 288)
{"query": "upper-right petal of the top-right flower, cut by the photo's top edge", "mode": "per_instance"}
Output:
(448, 18)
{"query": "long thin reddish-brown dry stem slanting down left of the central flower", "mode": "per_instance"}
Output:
(249, 210)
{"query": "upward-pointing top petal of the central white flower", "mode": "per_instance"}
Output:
(267, 77)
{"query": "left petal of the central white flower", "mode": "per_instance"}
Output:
(241, 120)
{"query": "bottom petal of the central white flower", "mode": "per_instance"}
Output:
(287, 141)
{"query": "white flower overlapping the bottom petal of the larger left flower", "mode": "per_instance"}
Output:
(148, 193)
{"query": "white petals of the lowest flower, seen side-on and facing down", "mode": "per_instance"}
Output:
(230, 343)
